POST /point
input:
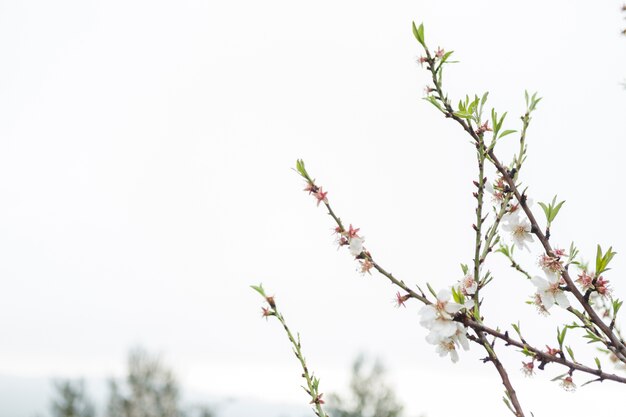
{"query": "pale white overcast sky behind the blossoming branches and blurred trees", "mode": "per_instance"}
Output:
(145, 172)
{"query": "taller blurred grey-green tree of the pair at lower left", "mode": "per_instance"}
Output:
(151, 390)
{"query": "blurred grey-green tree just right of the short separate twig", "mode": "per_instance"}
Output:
(370, 396)
